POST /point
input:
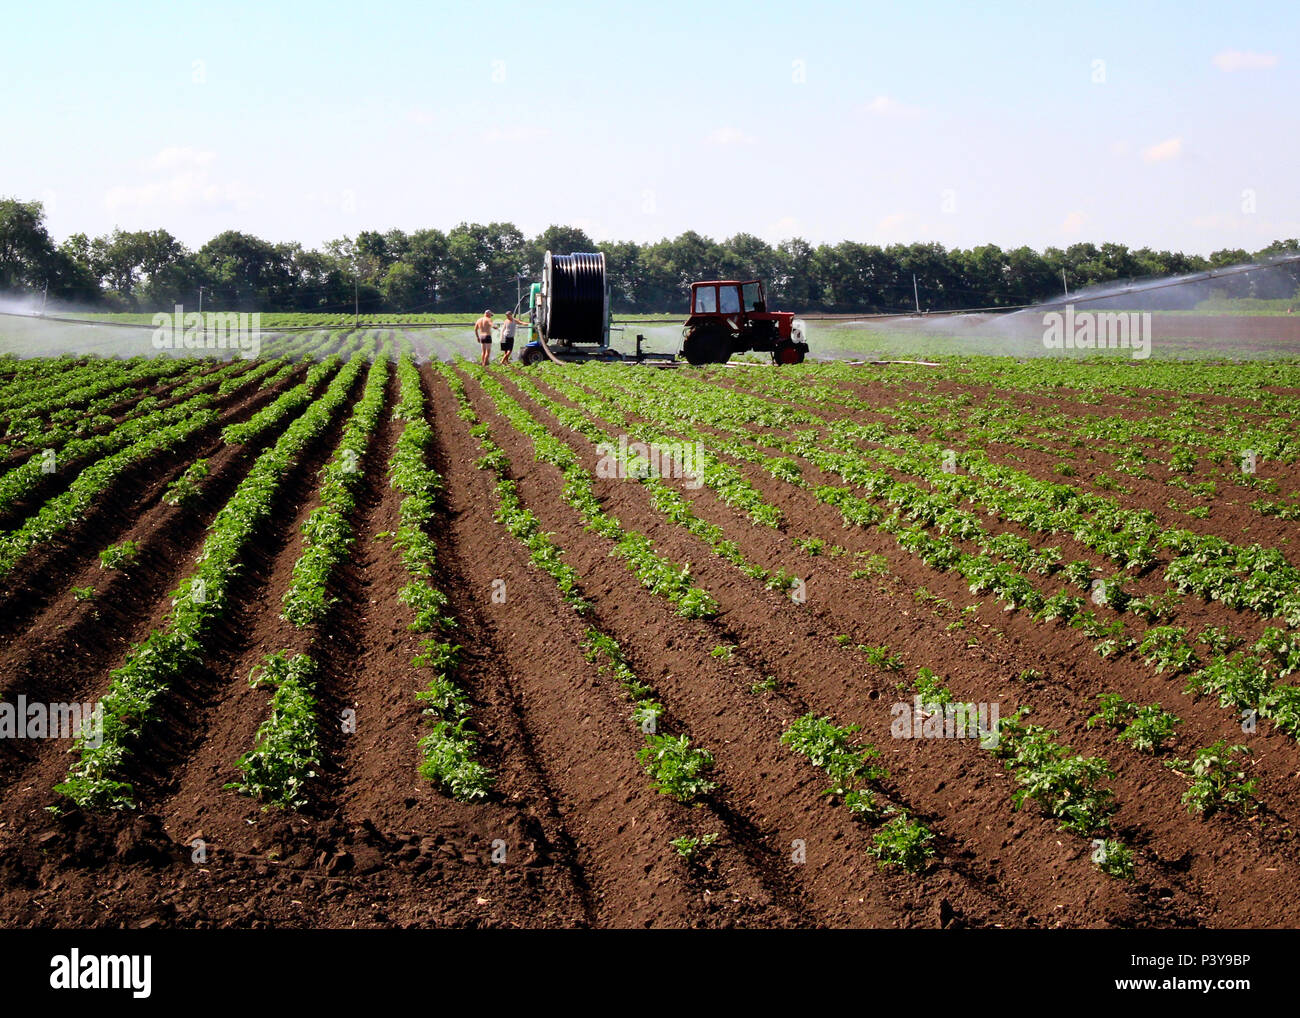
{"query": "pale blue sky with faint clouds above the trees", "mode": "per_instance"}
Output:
(1172, 125)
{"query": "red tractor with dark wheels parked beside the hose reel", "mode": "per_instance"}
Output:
(731, 317)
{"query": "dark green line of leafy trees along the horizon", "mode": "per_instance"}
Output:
(473, 267)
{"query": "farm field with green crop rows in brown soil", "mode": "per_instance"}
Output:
(385, 639)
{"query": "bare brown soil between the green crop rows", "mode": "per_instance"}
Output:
(574, 834)
